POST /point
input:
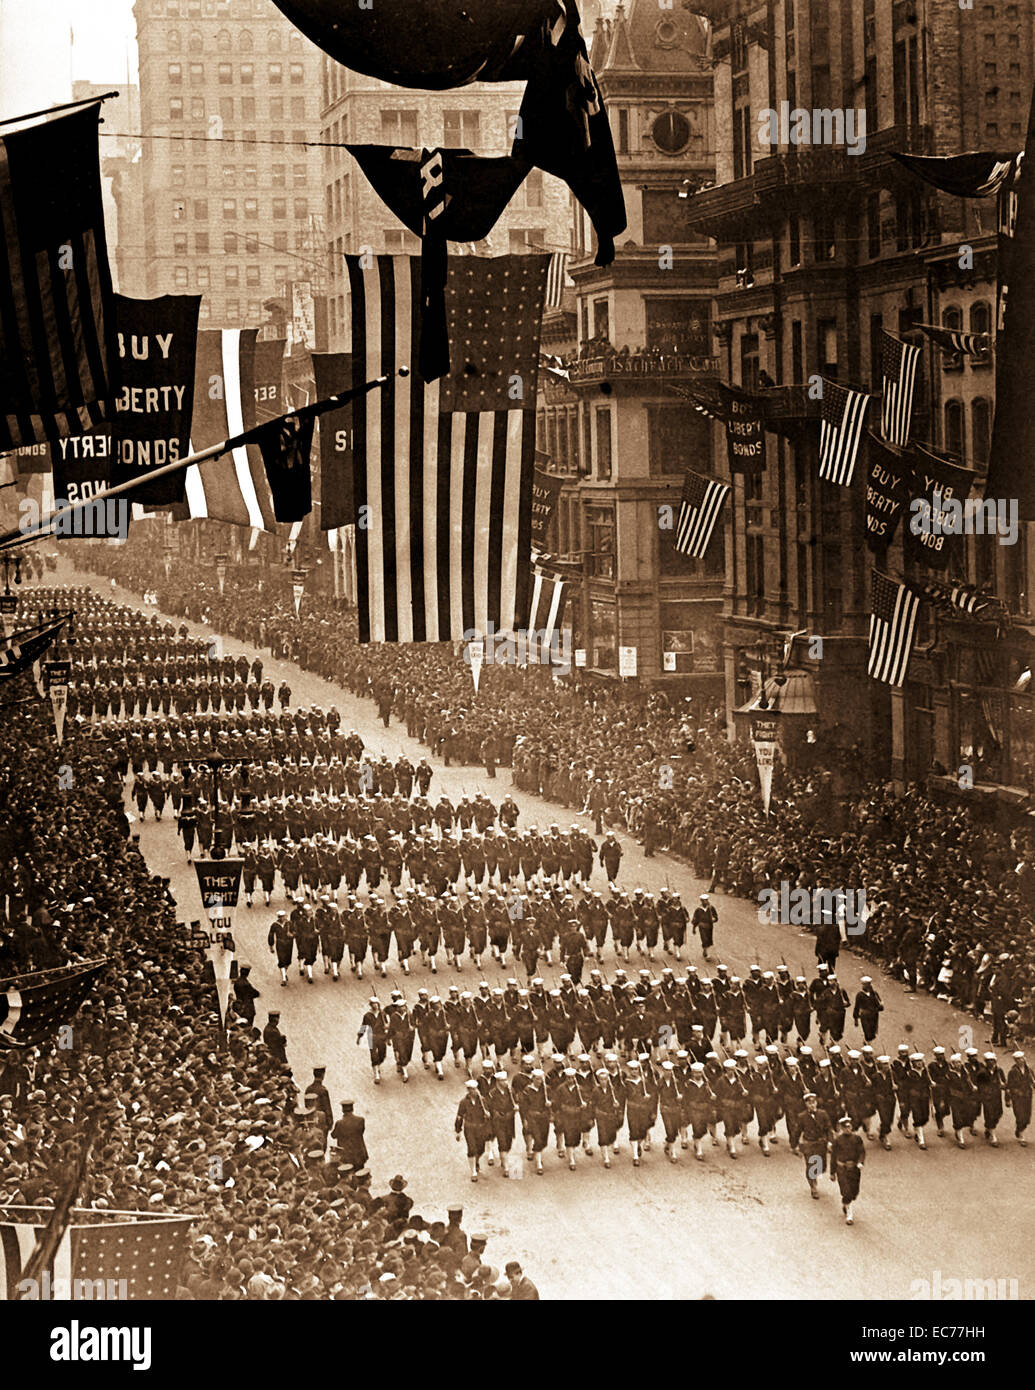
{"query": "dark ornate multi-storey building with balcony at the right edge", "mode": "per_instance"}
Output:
(822, 248)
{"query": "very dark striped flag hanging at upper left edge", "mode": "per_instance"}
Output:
(58, 340)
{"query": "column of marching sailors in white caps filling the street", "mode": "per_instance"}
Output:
(306, 806)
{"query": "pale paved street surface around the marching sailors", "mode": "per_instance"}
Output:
(723, 1229)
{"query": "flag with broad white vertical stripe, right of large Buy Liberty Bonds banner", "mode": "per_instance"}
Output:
(233, 369)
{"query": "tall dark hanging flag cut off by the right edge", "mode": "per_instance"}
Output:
(1012, 458)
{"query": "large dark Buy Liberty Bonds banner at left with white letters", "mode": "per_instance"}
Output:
(158, 344)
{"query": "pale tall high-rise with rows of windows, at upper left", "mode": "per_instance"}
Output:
(233, 195)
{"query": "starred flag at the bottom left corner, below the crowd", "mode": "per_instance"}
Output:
(141, 1249)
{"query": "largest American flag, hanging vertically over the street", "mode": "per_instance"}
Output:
(445, 469)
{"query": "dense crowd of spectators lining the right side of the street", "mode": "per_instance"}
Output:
(951, 897)
